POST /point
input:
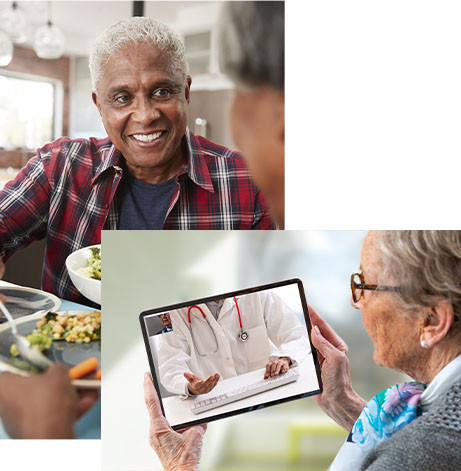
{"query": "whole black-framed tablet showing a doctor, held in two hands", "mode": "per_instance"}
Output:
(231, 353)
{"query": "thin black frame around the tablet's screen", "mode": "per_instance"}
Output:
(222, 296)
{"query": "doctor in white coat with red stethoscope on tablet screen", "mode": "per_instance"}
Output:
(229, 337)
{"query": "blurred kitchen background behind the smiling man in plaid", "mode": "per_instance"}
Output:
(45, 85)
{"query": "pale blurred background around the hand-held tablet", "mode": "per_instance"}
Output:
(145, 270)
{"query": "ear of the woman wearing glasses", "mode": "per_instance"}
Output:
(437, 323)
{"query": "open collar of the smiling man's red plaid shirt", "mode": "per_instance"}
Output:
(194, 165)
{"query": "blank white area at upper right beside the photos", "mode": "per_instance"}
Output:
(373, 116)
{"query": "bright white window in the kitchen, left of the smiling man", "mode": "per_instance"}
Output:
(27, 111)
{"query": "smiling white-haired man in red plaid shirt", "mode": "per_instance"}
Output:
(150, 173)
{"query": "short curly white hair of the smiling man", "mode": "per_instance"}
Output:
(136, 30)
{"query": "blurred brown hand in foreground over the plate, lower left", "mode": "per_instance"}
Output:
(43, 405)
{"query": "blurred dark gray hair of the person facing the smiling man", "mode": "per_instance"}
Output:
(252, 43)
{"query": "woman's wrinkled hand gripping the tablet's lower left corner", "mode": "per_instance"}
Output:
(177, 451)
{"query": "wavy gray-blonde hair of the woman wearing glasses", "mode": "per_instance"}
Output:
(424, 265)
